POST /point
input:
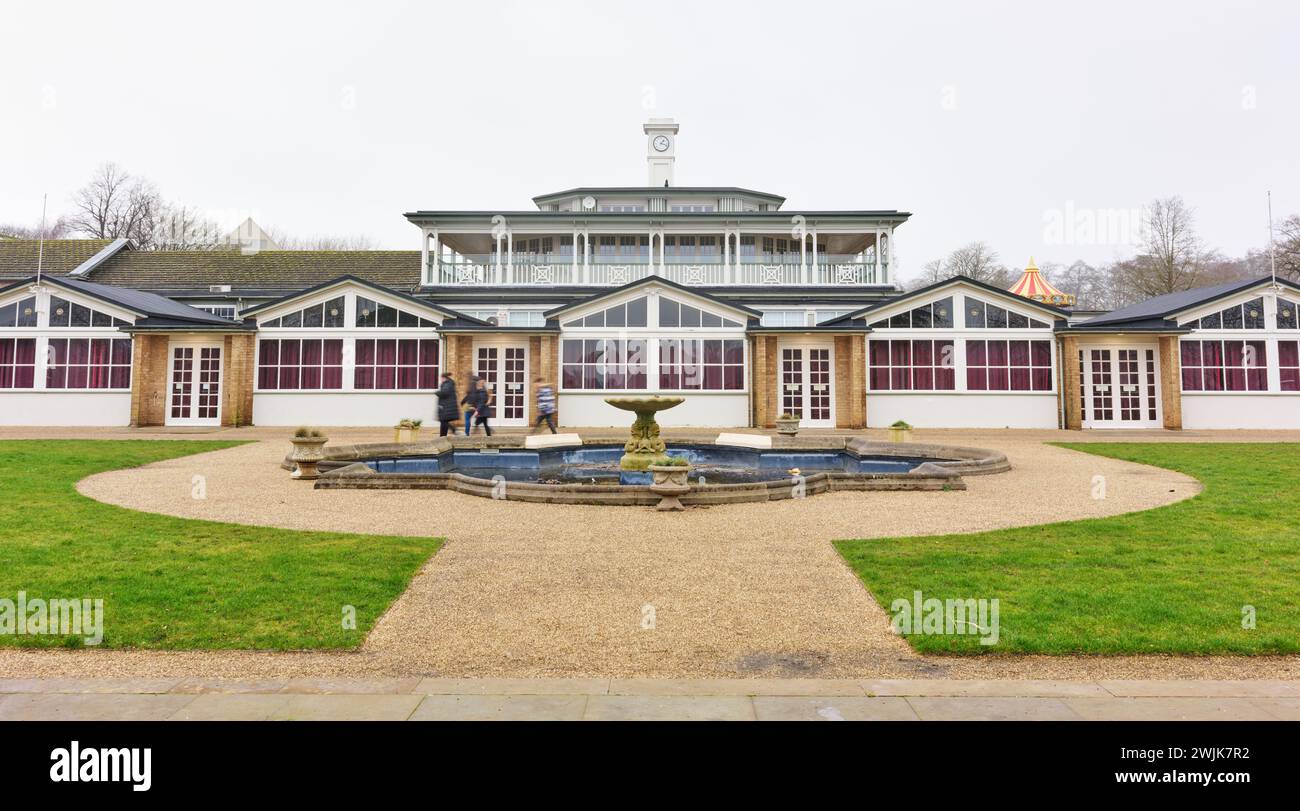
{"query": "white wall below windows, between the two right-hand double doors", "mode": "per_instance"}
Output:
(963, 410)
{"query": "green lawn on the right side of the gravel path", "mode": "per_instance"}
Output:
(1168, 580)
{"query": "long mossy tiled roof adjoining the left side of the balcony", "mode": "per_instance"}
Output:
(266, 271)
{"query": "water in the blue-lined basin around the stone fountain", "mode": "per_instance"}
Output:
(600, 465)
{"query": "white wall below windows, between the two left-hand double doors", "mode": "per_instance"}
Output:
(343, 409)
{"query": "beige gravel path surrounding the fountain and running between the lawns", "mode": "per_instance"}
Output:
(749, 591)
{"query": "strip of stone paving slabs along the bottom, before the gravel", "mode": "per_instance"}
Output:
(431, 700)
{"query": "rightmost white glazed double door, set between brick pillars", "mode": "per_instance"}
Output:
(1121, 388)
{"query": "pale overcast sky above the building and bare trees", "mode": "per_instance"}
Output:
(1007, 123)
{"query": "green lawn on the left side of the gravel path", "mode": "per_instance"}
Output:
(177, 584)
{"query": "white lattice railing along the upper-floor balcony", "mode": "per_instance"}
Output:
(710, 272)
